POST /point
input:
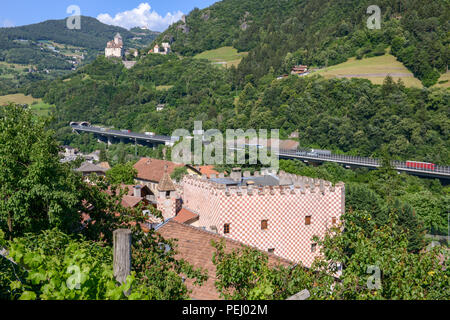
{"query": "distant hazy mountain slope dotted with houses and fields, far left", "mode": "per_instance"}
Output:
(49, 49)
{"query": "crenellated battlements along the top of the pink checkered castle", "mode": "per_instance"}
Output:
(288, 184)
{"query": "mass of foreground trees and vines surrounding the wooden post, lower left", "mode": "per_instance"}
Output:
(55, 220)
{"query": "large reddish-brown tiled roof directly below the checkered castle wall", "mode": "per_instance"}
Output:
(194, 246)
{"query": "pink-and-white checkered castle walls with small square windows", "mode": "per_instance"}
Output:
(284, 207)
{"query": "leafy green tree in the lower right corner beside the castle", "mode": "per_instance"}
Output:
(377, 253)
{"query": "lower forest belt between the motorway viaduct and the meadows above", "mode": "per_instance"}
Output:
(352, 116)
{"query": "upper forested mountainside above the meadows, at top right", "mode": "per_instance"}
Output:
(280, 34)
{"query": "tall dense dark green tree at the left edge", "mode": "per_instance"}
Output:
(36, 191)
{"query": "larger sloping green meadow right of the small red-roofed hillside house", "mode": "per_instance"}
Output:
(375, 69)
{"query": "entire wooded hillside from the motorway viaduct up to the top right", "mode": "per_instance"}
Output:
(349, 116)
